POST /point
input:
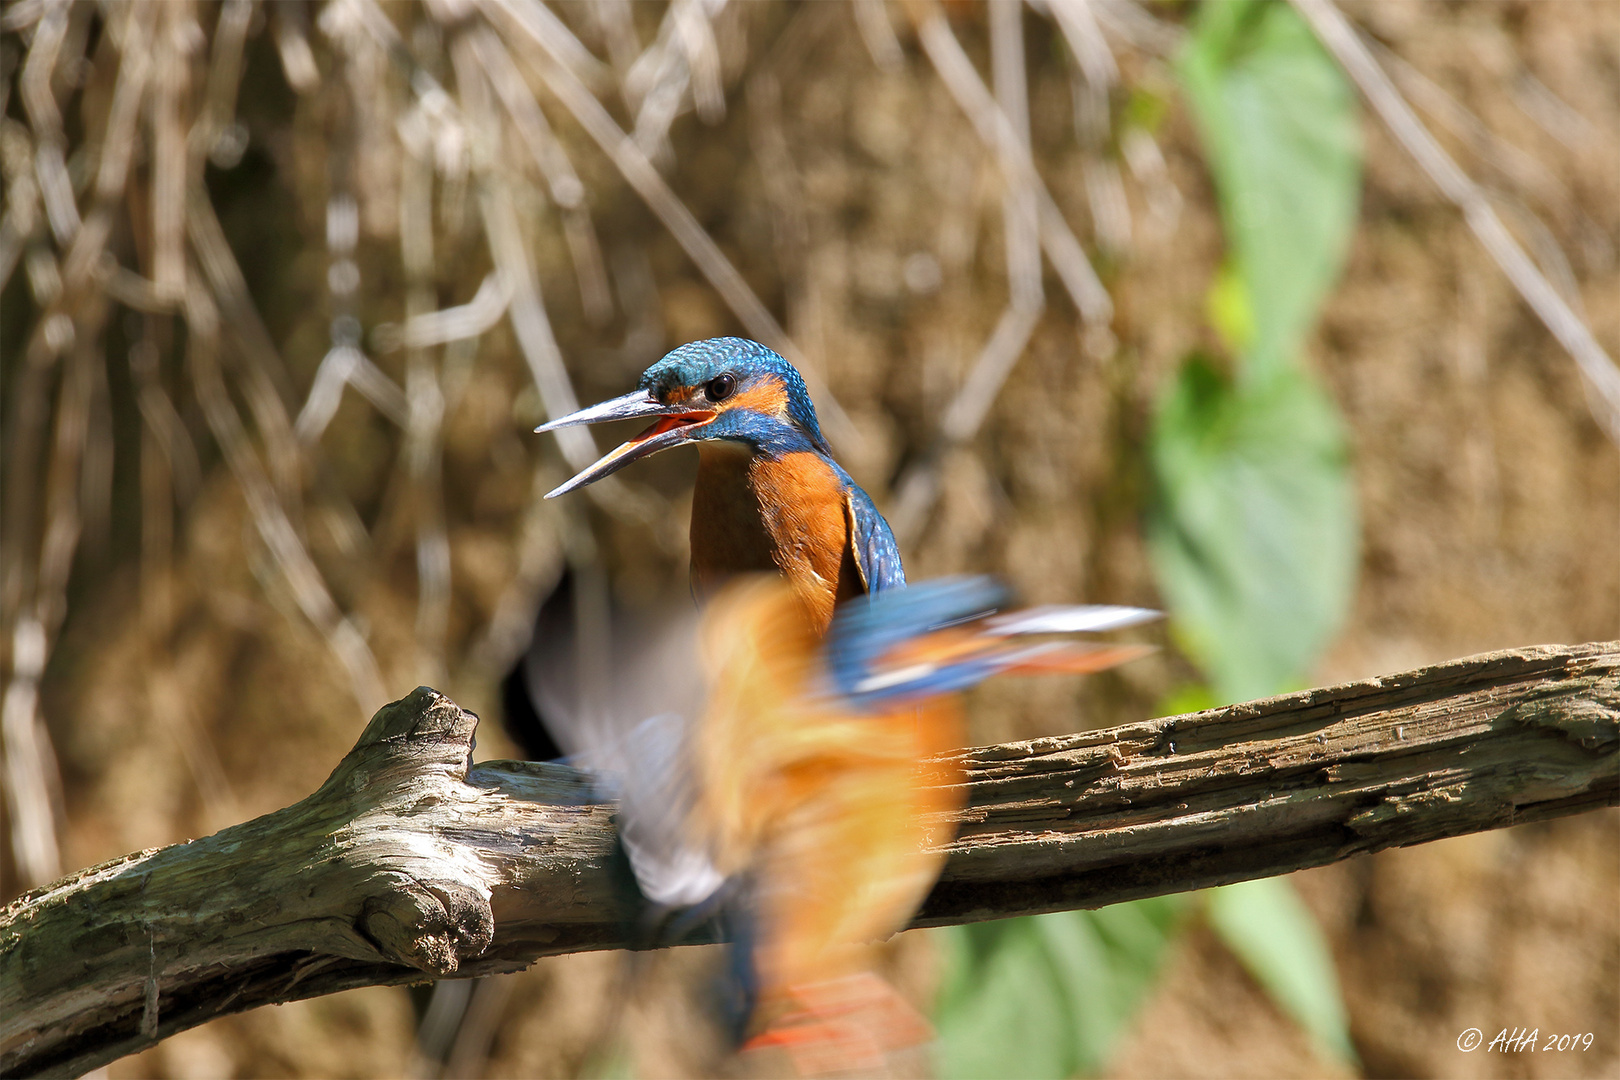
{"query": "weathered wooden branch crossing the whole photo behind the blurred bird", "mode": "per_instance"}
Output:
(411, 864)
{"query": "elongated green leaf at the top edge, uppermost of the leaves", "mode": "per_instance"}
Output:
(1284, 140)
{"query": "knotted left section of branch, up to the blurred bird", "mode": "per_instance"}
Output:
(399, 869)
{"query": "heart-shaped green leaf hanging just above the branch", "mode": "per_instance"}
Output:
(1253, 529)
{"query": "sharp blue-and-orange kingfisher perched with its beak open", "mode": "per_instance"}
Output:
(769, 498)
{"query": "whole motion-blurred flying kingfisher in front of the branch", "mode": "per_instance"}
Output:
(801, 784)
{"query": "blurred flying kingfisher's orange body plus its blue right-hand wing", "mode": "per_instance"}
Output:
(825, 780)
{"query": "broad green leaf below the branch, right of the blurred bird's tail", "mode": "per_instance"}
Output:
(1047, 997)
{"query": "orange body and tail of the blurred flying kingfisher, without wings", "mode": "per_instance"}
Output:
(837, 815)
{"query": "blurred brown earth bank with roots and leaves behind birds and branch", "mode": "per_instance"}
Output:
(1127, 304)
